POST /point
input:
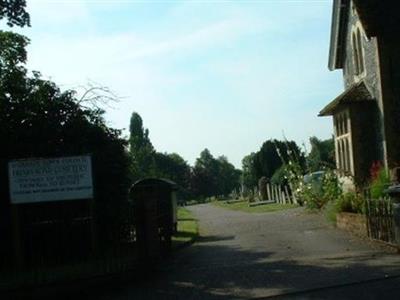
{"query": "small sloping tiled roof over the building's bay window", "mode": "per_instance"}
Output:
(357, 92)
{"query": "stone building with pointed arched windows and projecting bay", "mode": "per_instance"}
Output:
(365, 45)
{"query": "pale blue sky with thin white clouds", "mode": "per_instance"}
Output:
(222, 75)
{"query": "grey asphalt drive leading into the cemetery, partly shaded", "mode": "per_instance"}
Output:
(290, 254)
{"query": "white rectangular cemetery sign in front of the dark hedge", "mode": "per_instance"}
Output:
(40, 180)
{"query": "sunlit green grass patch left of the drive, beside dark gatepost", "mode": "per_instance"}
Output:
(188, 229)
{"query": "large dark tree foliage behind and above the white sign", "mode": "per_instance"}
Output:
(37, 119)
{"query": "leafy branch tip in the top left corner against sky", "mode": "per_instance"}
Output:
(15, 13)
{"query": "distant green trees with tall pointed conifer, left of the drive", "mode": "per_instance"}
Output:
(209, 177)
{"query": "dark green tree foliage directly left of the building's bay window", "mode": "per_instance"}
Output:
(322, 154)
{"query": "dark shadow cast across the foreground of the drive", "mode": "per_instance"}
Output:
(212, 271)
